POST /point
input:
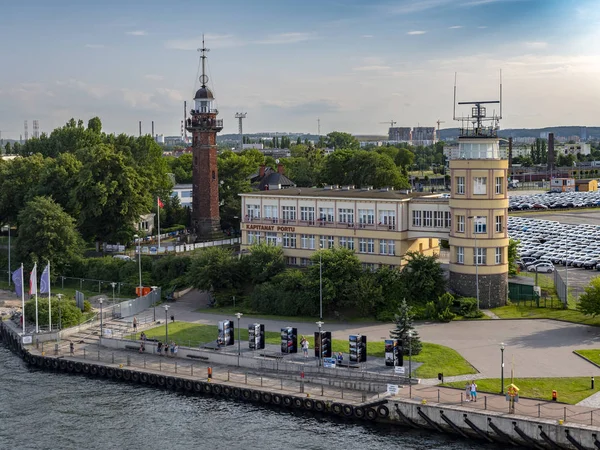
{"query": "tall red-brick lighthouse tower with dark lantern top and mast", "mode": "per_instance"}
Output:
(204, 126)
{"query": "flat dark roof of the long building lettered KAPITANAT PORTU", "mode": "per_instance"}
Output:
(341, 193)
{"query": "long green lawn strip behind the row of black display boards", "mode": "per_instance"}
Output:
(435, 358)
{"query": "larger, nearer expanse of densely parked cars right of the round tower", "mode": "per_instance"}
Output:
(545, 243)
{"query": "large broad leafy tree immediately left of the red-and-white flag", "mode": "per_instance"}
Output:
(110, 195)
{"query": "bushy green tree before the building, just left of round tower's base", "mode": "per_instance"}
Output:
(422, 278)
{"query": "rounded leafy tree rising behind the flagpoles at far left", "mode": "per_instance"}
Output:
(47, 233)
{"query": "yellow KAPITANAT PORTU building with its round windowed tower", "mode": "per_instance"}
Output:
(382, 225)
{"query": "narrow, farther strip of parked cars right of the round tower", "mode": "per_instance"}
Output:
(554, 200)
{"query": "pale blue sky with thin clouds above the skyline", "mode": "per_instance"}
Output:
(353, 64)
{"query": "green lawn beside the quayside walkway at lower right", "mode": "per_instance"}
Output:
(570, 390)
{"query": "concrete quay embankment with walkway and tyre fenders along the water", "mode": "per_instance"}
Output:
(315, 395)
